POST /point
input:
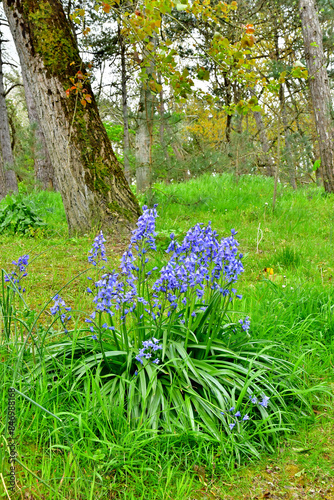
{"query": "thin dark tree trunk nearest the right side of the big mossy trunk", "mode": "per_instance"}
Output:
(126, 137)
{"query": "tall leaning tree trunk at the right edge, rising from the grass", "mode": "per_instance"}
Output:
(319, 88)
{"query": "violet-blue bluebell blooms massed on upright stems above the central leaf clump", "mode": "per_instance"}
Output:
(198, 267)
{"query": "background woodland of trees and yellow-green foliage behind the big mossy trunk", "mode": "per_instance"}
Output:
(226, 93)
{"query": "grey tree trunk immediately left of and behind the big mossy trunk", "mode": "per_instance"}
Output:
(44, 172)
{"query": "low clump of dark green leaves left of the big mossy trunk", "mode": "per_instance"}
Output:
(18, 216)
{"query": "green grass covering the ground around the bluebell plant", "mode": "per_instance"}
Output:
(293, 304)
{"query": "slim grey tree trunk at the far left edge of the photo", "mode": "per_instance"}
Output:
(10, 181)
